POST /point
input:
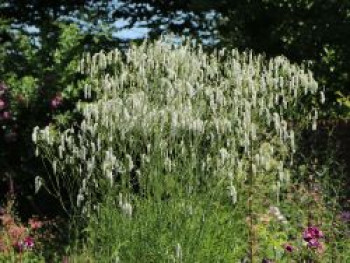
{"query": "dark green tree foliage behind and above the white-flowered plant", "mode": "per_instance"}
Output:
(42, 41)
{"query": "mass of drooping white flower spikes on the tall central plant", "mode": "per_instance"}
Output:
(176, 115)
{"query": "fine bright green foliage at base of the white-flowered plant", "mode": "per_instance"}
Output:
(201, 231)
